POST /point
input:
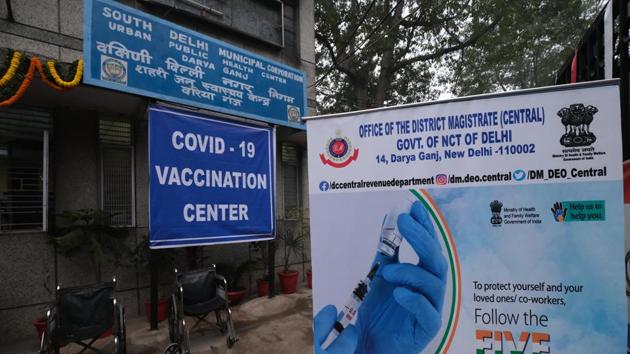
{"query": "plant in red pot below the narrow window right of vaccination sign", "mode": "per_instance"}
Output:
(292, 244)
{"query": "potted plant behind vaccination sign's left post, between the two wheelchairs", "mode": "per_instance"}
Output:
(140, 258)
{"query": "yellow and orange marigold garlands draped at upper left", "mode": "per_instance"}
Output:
(20, 69)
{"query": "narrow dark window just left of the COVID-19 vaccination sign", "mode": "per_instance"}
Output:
(117, 188)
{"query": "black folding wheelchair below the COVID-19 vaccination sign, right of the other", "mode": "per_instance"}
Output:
(196, 294)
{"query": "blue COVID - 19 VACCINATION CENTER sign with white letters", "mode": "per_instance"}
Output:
(210, 181)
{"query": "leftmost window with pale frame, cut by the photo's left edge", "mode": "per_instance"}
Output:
(24, 137)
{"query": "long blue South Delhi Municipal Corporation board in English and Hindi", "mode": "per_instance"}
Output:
(131, 51)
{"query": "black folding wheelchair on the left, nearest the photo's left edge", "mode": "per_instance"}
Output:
(84, 313)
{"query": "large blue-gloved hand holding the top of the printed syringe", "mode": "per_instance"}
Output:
(402, 311)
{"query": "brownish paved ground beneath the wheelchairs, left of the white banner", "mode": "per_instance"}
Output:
(265, 326)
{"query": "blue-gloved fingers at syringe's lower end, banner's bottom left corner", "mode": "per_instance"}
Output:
(323, 324)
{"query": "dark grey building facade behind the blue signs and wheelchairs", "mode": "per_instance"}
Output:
(87, 148)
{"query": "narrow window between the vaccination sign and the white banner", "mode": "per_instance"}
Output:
(290, 157)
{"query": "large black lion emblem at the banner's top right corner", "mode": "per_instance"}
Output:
(577, 121)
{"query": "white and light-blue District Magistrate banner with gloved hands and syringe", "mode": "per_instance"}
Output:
(508, 212)
